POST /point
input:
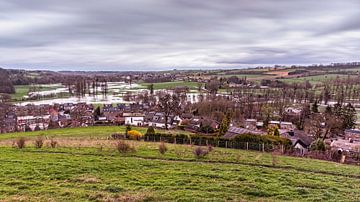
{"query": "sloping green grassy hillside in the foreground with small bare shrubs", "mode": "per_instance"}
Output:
(86, 167)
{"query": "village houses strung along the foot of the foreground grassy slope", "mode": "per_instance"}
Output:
(45, 117)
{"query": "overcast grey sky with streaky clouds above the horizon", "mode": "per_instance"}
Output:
(125, 35)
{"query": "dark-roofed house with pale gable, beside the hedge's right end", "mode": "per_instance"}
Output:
(299, 139)
